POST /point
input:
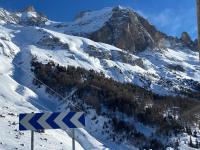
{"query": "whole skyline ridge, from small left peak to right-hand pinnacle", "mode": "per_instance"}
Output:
(102, 27)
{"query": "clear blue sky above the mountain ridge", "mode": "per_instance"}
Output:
(170, 16)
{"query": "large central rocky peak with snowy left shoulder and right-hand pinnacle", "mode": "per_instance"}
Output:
(123, 28)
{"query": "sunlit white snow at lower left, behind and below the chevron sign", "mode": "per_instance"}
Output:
(14, 100)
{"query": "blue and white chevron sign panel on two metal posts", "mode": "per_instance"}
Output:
(48, 120)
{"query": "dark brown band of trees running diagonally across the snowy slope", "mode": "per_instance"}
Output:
(170, 115)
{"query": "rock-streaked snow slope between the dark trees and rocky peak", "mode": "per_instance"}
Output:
(164, 71)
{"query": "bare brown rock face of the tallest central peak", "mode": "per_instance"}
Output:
(127, 30)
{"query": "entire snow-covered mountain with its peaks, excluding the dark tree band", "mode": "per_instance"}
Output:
(156, 62)
